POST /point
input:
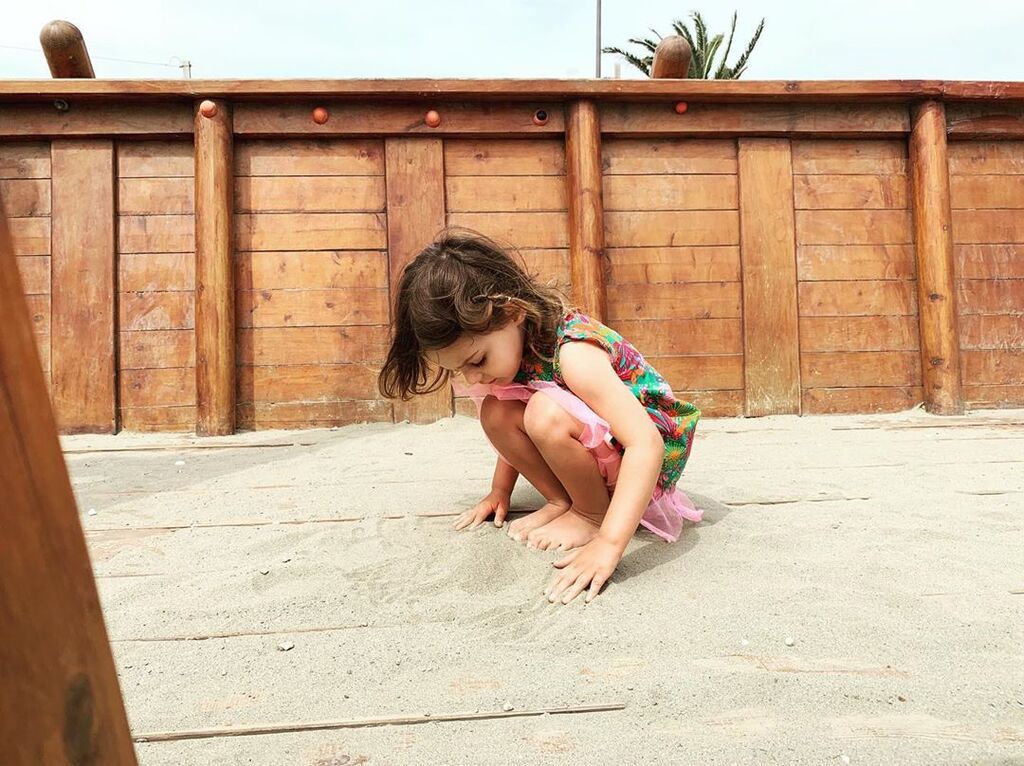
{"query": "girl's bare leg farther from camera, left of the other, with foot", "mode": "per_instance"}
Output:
(503, 422)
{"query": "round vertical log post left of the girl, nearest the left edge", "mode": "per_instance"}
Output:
(216, 375)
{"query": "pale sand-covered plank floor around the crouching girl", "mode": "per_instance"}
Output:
(890, 549)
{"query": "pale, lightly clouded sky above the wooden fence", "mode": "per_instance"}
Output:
(803, 39)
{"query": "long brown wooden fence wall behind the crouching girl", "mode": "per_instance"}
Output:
(216, 256)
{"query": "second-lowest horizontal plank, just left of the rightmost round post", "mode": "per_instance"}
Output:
(858, 370)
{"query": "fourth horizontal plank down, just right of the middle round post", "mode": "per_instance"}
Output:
(648, 266)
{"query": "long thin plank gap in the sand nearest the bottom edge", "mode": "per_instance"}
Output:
(163, 737)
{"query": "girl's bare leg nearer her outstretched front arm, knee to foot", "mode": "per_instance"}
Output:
(557, 434)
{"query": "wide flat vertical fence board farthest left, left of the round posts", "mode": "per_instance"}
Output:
(83, 293)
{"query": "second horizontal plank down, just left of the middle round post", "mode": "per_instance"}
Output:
(476, 194)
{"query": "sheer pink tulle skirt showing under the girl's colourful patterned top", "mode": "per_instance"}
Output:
(666, 512)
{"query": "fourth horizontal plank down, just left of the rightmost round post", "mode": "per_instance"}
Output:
(830, 263)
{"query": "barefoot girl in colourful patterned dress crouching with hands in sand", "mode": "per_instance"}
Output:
(606, 441)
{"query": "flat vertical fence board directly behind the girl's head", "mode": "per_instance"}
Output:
(415, 173)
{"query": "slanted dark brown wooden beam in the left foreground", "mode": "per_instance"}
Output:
(61, 700)
